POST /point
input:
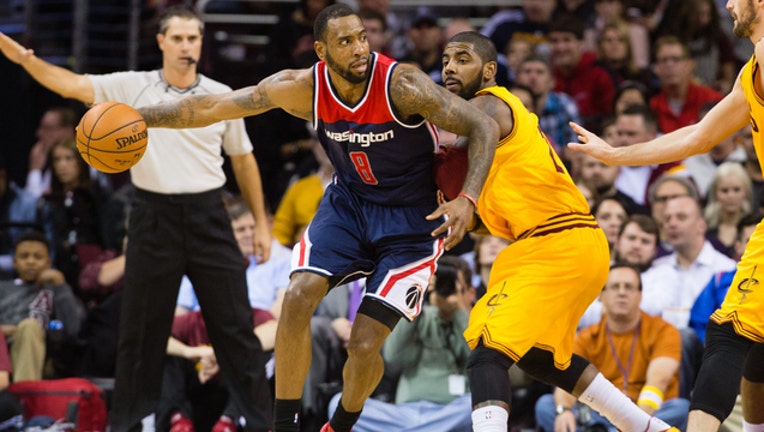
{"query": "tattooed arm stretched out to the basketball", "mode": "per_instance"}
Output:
(291, 90)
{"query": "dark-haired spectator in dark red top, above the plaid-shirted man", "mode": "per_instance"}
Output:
(577, 74)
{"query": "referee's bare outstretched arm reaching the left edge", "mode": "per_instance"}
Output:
(55, 78)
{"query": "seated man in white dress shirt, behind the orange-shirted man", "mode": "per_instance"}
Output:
(674, 282)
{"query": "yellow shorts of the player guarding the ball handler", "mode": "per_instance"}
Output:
(538, 290)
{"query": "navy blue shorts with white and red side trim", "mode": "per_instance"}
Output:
(391, 246)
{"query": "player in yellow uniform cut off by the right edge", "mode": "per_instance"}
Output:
(735, 333)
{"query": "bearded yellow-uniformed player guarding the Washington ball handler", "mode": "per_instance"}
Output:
(542, 283)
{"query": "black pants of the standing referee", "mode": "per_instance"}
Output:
(169, 236)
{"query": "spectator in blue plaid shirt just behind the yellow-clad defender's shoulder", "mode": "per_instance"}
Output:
(554, 109)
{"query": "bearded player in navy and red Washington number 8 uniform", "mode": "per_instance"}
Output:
(376, 119)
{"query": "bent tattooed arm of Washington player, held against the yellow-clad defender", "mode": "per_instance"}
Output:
(414, 94)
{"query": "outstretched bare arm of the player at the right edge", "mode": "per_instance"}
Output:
(724, 119)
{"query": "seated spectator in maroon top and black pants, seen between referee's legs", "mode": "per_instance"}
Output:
(193, 396)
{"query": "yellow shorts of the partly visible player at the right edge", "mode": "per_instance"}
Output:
(744, 304)
